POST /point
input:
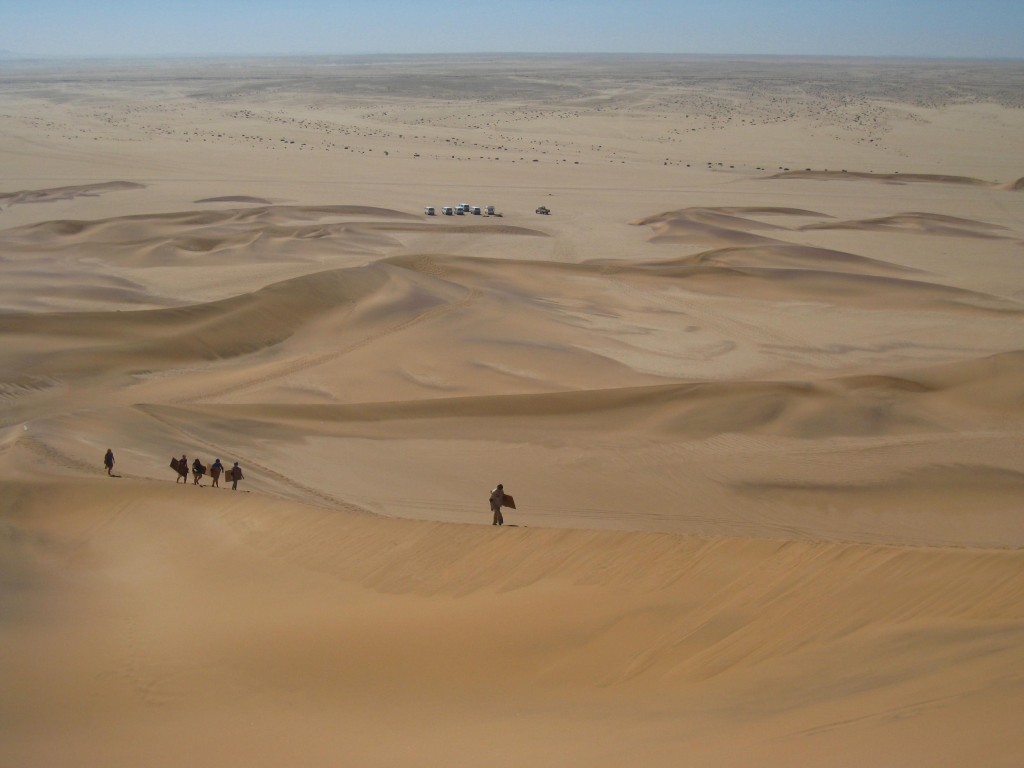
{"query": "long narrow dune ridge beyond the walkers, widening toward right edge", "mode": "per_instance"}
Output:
(844, 407)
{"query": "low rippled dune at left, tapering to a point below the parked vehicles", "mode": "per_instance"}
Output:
(233, 242)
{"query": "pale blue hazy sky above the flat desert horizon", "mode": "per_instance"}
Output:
(892, 28)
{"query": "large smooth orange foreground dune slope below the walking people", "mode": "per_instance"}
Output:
(660, 646)
